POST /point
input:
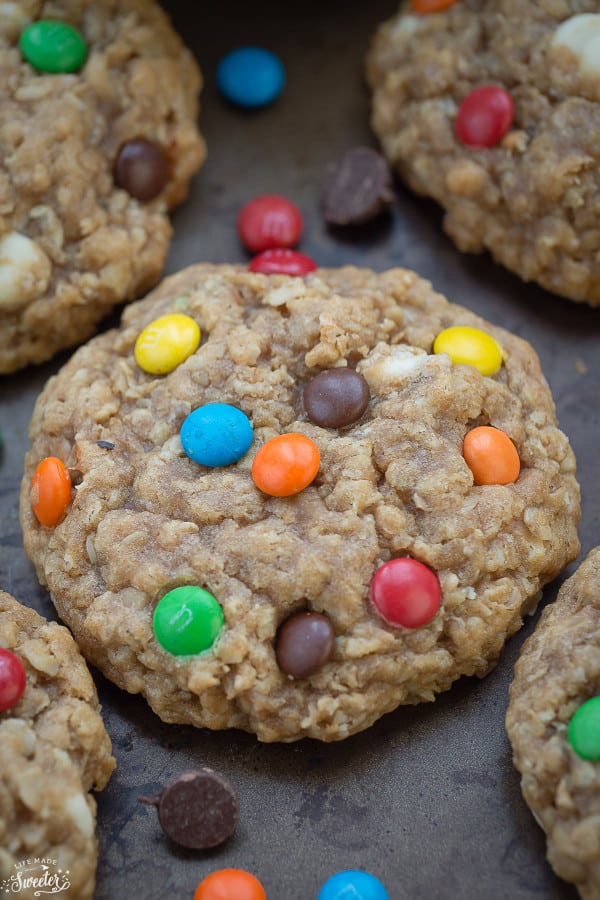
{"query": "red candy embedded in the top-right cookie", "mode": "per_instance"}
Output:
(484, 116)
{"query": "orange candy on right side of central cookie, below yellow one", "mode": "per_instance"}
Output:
(491, 456)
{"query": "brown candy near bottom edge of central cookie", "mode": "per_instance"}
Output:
(304, 644)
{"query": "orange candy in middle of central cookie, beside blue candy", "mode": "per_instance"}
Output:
(286, 464)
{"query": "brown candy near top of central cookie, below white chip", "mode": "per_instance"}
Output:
(336, 397)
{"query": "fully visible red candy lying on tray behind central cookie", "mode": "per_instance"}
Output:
(269, 221)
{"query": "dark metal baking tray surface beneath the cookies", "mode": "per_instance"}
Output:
(427, 799)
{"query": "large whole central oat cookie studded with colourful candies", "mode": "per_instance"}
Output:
(250, 552)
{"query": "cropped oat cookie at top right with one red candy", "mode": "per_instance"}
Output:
(524, 184)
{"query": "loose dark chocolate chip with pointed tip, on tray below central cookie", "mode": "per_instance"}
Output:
(199, 809)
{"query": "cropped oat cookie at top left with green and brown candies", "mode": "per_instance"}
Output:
(98, 140)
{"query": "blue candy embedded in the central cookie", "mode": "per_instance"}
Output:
(216, 434)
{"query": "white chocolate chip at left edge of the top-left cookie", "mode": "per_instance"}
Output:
(24, 271)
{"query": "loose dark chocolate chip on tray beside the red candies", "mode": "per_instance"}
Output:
(358, 187)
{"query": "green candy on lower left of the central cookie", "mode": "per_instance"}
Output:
(187, 620)
